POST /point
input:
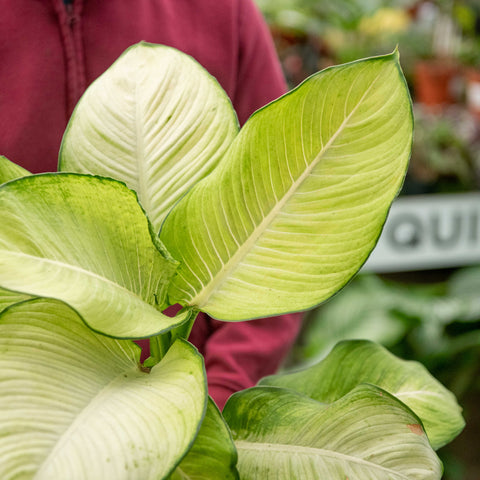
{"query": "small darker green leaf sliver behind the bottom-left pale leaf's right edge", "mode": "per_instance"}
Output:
(213, 455)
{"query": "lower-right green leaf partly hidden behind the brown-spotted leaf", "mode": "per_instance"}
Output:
(351, 363)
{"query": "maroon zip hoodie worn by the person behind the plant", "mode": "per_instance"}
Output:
(50, 52)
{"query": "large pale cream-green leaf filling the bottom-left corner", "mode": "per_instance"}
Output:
(75, 404)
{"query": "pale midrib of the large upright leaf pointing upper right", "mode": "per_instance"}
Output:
(203, 297)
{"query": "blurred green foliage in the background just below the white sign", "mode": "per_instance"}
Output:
(427, 322)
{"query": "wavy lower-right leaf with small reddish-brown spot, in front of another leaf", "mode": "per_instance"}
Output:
(366, 435)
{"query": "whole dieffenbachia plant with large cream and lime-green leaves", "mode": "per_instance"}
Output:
(160, 199)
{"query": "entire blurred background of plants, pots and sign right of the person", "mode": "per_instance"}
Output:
(419, 293)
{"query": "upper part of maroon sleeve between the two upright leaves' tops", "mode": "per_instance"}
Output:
(259, 74)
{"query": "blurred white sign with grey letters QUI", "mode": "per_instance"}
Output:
(429, 231)
